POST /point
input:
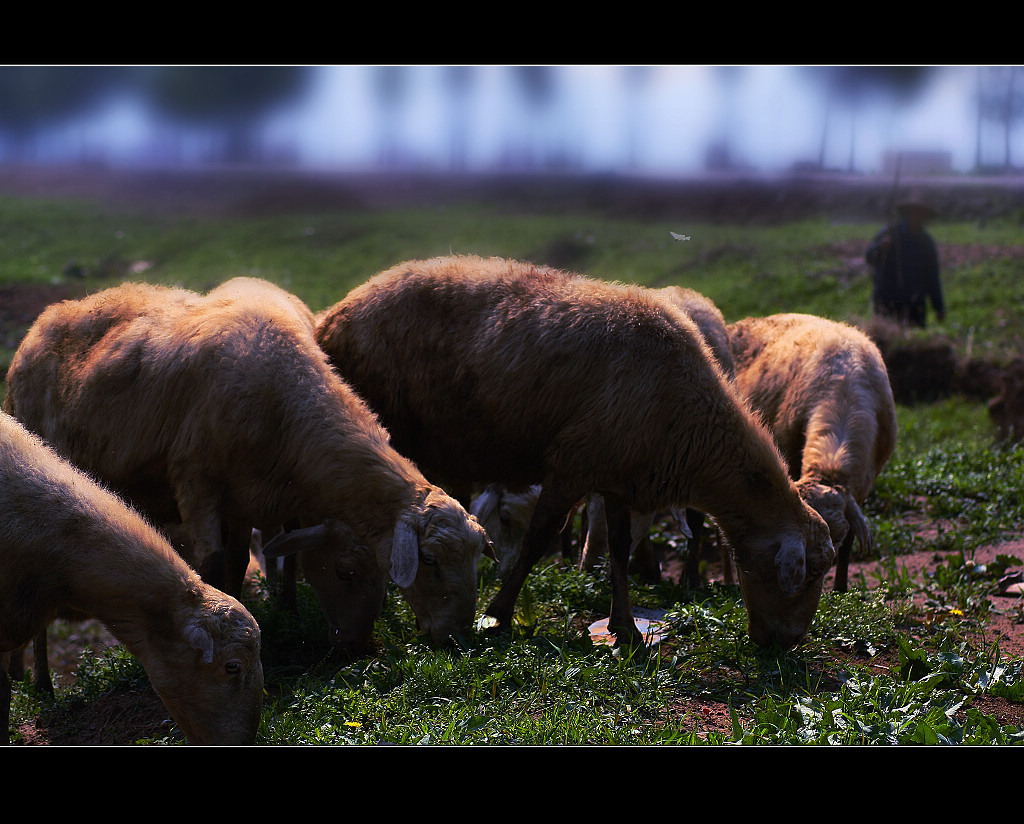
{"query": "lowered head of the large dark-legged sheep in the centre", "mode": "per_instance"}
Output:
(782, 579)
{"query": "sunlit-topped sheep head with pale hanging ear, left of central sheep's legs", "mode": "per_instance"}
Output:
(434, 560)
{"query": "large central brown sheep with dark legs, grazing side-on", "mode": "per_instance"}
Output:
(495, 371)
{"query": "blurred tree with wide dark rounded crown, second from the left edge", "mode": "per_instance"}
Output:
(231, 100)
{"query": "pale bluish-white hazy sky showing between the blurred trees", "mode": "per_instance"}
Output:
(776, 118)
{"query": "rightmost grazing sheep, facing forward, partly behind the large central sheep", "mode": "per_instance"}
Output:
(823, 389)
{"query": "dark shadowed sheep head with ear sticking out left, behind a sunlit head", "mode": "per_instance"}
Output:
(345, 576)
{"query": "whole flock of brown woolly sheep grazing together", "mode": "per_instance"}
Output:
(148, 431)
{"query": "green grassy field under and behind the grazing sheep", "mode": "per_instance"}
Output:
(895, 661)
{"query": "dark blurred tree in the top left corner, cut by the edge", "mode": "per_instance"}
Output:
(34, 99)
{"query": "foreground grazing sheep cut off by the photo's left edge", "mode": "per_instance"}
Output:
(68, 544)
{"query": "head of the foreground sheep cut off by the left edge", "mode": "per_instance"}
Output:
(208, 673)
